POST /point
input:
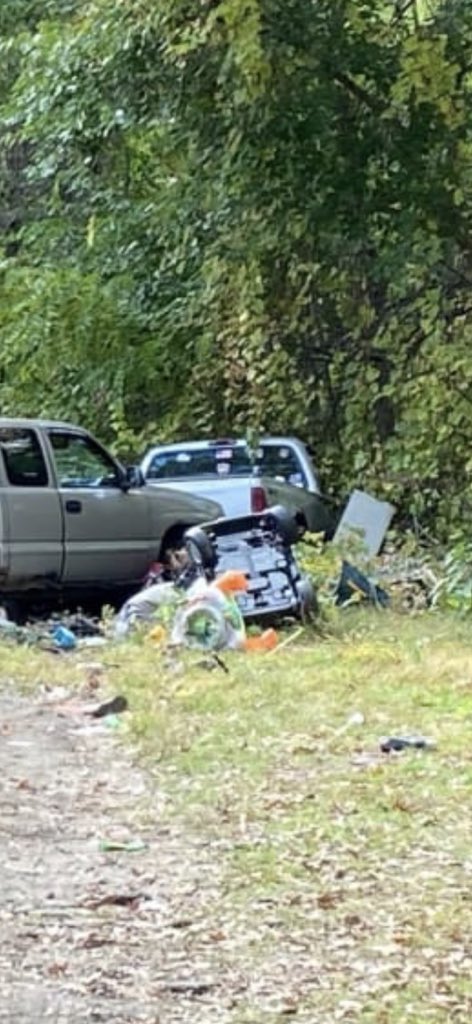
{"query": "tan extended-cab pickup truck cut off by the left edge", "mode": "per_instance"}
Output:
(72, 518)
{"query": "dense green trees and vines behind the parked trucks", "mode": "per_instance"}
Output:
(246, 215)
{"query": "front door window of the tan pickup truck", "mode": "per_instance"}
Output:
(81, 463)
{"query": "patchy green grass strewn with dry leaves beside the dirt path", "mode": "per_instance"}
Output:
(346, 874)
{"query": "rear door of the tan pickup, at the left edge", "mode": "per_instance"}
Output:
(31, 513)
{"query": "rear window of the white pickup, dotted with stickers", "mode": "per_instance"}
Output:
(280, 462)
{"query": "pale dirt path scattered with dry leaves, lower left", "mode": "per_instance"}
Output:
(88, 935)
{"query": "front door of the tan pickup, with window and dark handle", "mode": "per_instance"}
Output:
(107, 531)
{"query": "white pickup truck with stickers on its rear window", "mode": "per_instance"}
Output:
(279, 472)
